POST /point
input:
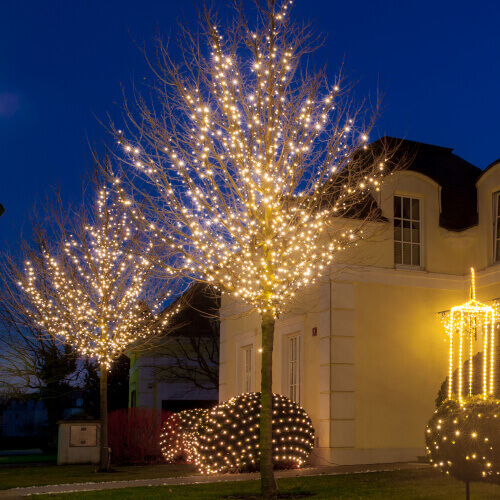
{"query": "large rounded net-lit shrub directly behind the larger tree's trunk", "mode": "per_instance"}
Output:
(228, 435)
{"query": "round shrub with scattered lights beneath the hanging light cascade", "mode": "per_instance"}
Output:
(463, 440)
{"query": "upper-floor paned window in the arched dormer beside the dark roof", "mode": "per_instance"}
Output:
(407, 231)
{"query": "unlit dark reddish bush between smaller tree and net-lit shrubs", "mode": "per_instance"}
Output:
(134, 434)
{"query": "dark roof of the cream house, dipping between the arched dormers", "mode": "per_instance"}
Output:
(456, 177)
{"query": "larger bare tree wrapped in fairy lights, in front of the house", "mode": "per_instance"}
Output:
(254, 171)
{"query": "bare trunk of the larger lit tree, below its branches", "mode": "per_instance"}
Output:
(268, 482)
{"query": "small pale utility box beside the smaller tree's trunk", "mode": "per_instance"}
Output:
(79, 442)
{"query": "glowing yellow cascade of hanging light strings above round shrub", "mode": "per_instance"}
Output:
(462, 325)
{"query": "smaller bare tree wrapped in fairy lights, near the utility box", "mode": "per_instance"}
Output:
(90, 283)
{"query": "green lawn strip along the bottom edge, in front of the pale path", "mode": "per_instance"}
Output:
(397, 485)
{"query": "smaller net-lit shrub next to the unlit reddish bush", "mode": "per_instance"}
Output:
(179, 436)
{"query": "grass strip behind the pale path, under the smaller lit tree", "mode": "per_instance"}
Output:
(64, 474)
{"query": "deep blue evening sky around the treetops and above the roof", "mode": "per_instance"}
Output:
(62, 64)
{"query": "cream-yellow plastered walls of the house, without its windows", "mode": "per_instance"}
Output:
(371, 374)
